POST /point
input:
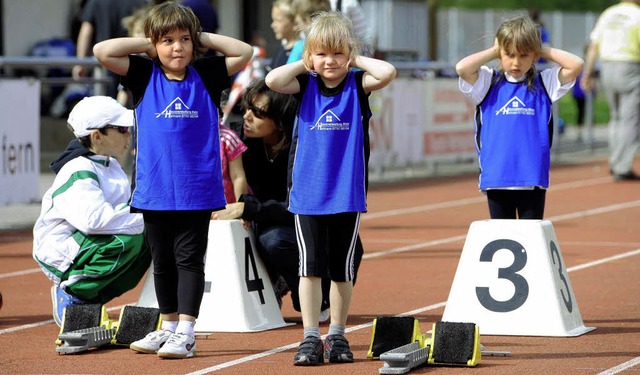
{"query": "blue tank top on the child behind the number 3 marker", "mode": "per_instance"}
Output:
(513, 135)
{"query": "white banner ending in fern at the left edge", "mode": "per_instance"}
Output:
(19, 141)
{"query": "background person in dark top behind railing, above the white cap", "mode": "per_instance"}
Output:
(102, 20)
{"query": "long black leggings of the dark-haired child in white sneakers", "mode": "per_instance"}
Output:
(178, 242)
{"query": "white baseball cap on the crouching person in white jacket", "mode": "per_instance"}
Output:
(96, 112)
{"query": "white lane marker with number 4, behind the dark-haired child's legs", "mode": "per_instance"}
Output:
(238, 295)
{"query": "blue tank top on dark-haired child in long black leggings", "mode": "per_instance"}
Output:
(178, 147)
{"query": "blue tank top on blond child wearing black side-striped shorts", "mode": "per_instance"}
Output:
(328, 174)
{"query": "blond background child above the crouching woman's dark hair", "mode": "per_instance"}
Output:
(283, 24)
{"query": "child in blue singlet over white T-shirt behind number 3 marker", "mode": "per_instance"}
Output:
(514, 122)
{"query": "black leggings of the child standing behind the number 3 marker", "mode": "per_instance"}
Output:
(528, 204)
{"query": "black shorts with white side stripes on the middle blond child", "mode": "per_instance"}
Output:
(326, 244)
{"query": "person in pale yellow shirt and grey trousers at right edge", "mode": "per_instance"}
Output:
(615, 40)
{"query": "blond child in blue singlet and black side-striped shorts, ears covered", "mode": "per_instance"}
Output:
(329, 171)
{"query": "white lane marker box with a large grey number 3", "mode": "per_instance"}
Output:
(511, 280)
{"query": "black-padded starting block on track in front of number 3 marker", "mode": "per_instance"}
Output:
(451, 344)
